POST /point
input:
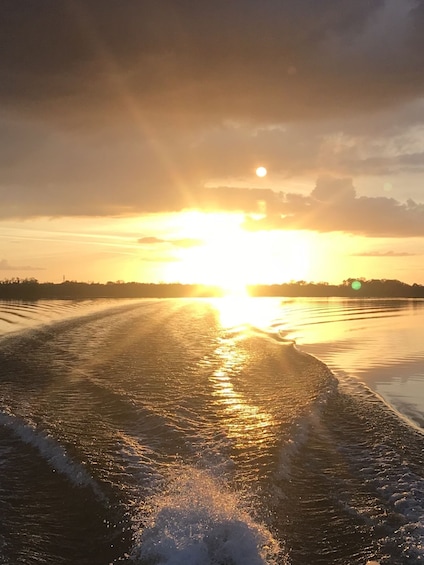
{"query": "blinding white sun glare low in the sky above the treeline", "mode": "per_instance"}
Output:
(232, 258)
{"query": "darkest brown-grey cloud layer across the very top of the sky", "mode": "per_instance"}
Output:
(100, 59)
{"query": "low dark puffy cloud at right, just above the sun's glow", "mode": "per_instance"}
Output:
(334, 206)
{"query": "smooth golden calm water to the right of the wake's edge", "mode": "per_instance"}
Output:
(378, 342)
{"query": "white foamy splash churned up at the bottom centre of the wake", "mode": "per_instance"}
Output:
(198, 521)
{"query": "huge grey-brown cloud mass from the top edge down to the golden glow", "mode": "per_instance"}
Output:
(121, 108)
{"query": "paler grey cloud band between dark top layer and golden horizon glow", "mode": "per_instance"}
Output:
(44, 172)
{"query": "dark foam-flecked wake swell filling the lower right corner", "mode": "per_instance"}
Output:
(360, 465)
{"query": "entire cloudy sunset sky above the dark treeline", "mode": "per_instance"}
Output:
(130, 133)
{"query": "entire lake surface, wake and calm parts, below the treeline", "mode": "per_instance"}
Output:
(195, 432)
